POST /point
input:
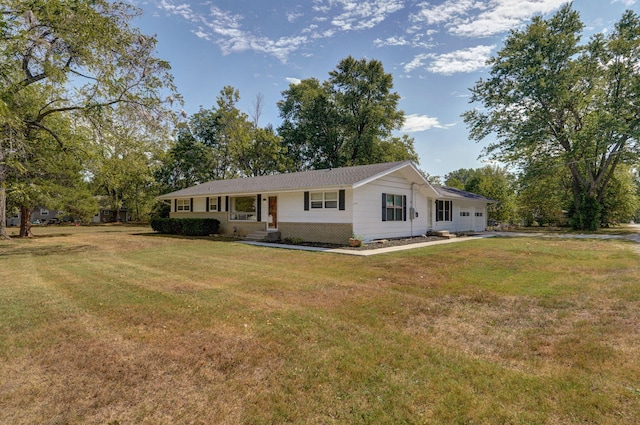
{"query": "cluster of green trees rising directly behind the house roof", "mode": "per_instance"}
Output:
(346, 120)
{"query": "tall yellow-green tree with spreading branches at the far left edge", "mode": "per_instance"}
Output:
(77, 58)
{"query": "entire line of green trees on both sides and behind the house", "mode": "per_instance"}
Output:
(89, 118)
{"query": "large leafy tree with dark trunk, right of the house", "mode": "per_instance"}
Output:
(551, 99)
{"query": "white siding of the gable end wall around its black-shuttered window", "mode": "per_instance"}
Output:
(367, 209)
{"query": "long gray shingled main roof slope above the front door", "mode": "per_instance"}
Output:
(346, 176)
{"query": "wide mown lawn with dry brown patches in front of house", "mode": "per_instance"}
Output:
(114, 325)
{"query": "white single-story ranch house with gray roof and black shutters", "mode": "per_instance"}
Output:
(374, 201)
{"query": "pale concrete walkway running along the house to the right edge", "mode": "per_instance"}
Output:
(366, 253)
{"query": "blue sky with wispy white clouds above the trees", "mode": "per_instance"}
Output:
(435, 50)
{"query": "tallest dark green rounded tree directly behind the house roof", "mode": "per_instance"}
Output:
(347, 120)
